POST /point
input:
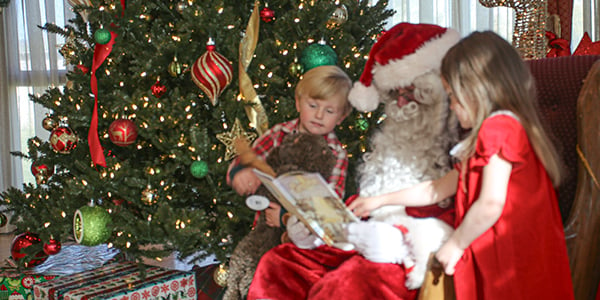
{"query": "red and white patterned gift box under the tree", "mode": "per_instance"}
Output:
(120, 281)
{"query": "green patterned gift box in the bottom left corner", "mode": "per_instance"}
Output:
(16, 285)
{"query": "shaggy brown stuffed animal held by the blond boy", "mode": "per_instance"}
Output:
(297, 152)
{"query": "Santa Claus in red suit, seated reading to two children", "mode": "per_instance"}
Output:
(391, 249)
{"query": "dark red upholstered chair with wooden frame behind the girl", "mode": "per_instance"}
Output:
(574, 119)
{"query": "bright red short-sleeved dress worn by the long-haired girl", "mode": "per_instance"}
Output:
(523, 255)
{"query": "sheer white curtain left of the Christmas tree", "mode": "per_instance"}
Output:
(29, 63)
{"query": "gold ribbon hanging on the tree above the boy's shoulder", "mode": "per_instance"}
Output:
(254, 109)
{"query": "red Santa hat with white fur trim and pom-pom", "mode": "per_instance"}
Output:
(400, 55)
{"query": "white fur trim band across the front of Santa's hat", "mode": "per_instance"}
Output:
(401, 72)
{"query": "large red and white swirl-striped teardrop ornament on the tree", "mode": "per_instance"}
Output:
(212, 72)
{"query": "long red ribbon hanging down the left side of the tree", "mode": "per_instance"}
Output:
(101, 52)
